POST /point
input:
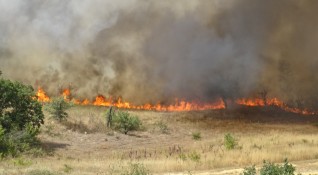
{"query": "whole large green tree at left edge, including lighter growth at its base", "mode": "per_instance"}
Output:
(20, 118)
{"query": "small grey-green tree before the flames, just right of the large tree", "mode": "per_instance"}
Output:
(57, 108)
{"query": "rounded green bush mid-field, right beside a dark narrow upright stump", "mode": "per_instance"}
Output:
(124, 122)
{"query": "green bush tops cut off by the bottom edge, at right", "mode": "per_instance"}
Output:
(272, 169)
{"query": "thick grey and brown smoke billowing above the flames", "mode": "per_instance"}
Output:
(155, 51)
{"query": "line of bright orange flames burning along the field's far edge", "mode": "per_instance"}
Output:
(179, 105)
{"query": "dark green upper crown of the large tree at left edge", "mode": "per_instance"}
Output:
(18, 106)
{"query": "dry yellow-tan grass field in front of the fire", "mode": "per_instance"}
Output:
(165, 145)
